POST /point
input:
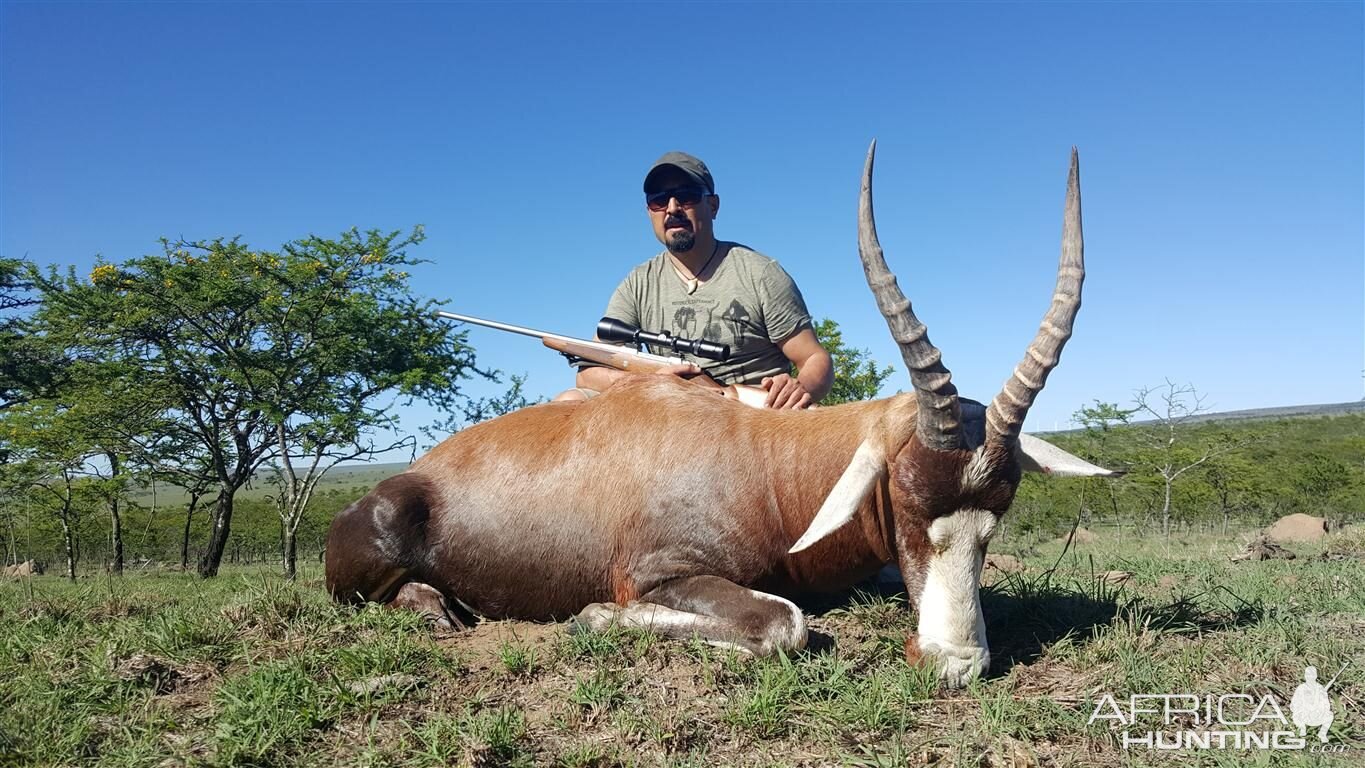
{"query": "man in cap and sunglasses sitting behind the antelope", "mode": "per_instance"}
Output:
(715, 290)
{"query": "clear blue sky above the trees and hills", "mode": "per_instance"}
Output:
(1221, 163)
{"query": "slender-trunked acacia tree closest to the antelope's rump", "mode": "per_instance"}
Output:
(346, 329)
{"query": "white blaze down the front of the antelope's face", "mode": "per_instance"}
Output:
(952, 628)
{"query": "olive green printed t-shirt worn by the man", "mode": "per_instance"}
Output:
(749, 304)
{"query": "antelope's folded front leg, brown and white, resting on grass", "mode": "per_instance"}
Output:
(719, 612)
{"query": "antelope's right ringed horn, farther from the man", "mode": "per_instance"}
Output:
(1007, 413)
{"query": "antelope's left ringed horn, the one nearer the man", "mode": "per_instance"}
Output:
(940, 424)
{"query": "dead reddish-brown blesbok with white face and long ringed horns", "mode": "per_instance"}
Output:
(663, 507)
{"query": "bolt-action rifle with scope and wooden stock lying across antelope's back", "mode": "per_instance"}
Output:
(629, 359)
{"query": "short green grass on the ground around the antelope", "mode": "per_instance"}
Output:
(164, 669)
